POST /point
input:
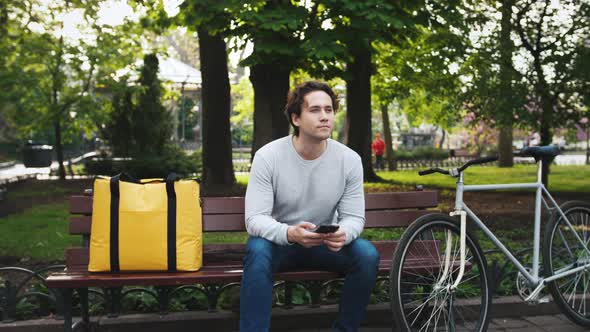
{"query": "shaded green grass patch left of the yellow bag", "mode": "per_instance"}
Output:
(39, 234)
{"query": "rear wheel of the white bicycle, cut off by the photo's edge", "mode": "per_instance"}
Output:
(566, 248)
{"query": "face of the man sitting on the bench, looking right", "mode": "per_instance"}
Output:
(317, 116)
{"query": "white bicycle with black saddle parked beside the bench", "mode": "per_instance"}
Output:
(450, 290)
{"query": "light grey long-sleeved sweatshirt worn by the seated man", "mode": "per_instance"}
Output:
(285, 189)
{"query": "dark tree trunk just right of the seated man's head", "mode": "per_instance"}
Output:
(358, 105)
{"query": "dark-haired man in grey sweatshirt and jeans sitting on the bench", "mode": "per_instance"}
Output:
(296, 184)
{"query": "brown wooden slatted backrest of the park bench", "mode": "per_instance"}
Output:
(226, 214)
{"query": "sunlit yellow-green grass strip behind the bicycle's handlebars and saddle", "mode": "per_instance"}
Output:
(561, 178)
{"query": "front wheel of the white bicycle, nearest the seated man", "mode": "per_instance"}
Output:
(422, 298)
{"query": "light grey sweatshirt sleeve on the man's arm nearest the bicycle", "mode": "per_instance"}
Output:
(351, 207)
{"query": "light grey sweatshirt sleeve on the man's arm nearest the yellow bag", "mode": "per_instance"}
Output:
(259, 204)
